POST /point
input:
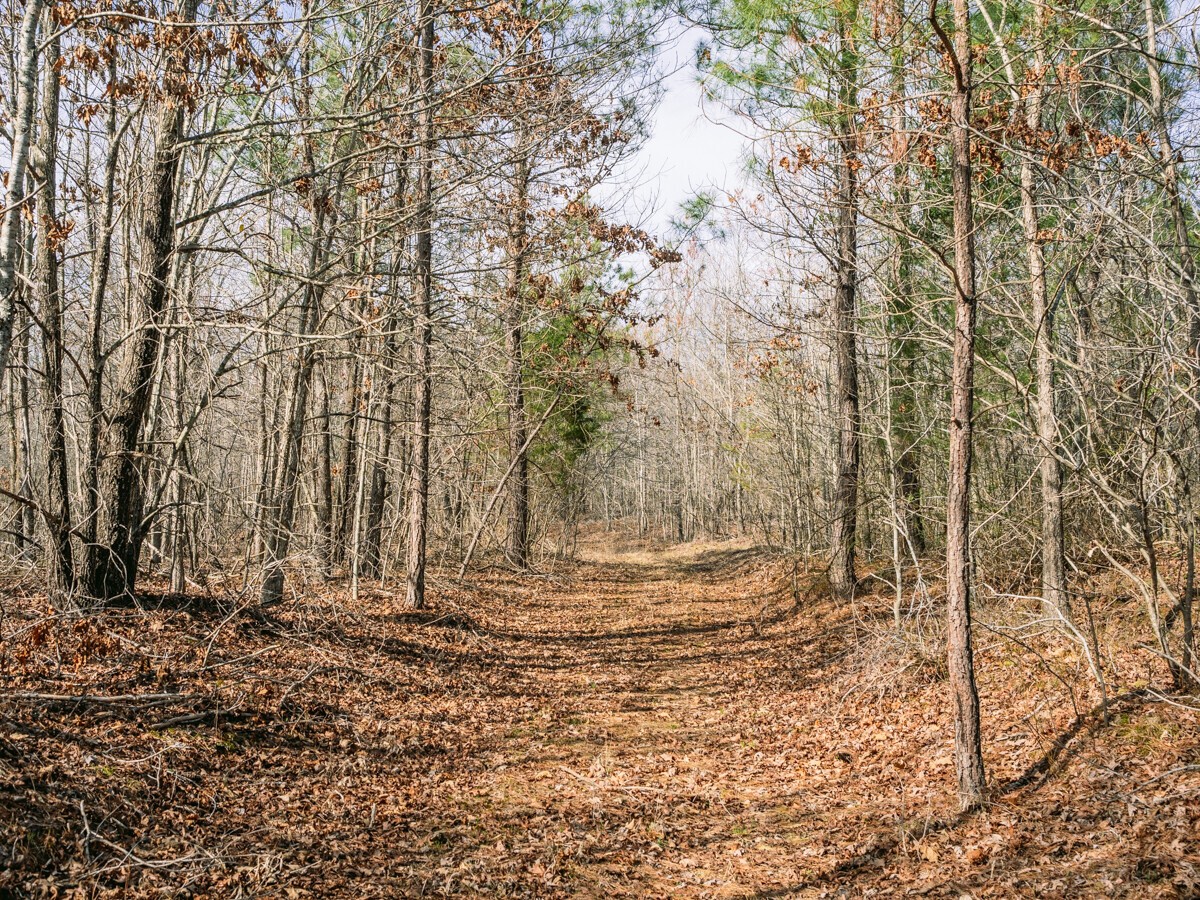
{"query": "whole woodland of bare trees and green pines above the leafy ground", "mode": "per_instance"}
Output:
(313, 297)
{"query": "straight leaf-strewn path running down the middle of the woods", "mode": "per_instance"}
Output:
(640, 763)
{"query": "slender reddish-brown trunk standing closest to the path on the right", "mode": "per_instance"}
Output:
(968, 741)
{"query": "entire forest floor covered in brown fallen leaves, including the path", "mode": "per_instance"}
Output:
(694, 723)
